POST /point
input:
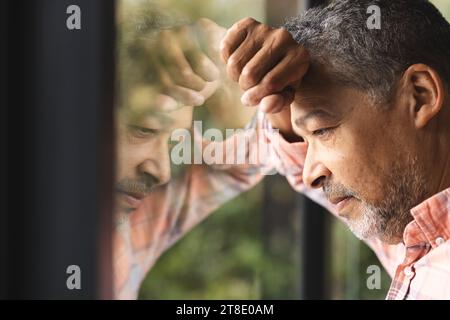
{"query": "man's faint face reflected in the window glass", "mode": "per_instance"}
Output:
(143, 160)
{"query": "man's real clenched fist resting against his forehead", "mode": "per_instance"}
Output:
(267, 62)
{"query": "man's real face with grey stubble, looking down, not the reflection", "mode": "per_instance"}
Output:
(368, 159)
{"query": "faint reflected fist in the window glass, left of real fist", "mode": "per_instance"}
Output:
(185, 71)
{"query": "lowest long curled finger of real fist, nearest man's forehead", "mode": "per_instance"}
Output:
(288, 72)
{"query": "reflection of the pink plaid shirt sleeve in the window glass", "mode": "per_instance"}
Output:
(171, 210)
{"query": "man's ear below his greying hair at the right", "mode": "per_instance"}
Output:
(426, 90)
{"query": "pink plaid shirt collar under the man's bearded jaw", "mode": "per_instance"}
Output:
(431, 224)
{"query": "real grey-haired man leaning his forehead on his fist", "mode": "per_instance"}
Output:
(367, 113)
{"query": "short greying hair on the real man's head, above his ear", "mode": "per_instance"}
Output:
(412, 31)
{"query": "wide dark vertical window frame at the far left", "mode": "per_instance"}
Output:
(60, 148)
